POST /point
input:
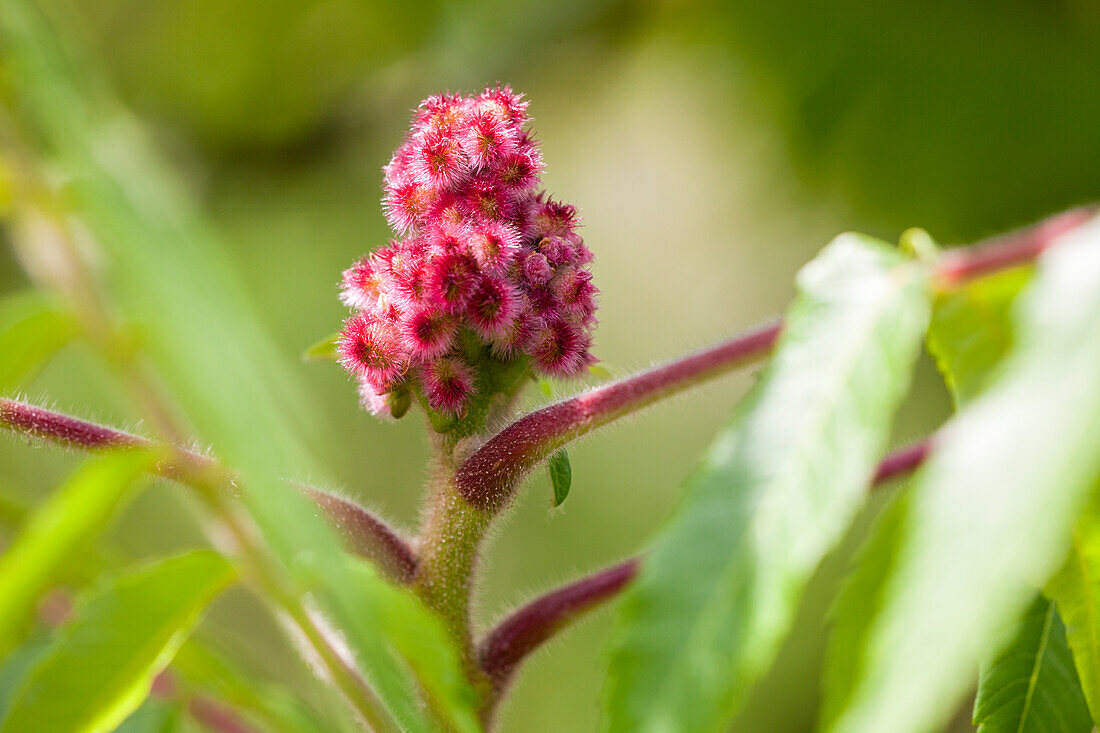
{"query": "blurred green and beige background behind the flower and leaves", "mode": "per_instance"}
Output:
(712, 149)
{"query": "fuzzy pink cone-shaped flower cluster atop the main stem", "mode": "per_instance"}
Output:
(483, 256)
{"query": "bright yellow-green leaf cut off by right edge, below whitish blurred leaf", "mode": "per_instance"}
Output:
(1076, 592)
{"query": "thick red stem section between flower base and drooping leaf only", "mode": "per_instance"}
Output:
(489, 478)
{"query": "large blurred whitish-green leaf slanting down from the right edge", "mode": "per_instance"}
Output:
(991, 513)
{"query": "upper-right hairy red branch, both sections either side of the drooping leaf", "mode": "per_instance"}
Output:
(489, 478)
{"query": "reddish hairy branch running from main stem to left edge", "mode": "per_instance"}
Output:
(366, 534)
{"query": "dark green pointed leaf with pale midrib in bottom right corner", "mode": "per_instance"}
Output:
(1031, 686)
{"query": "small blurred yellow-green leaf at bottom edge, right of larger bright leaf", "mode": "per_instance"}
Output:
(274, 708)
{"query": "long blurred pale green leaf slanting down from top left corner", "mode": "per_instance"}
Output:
(174, 282)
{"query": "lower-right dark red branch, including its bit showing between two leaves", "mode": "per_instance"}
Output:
(526, 629)
